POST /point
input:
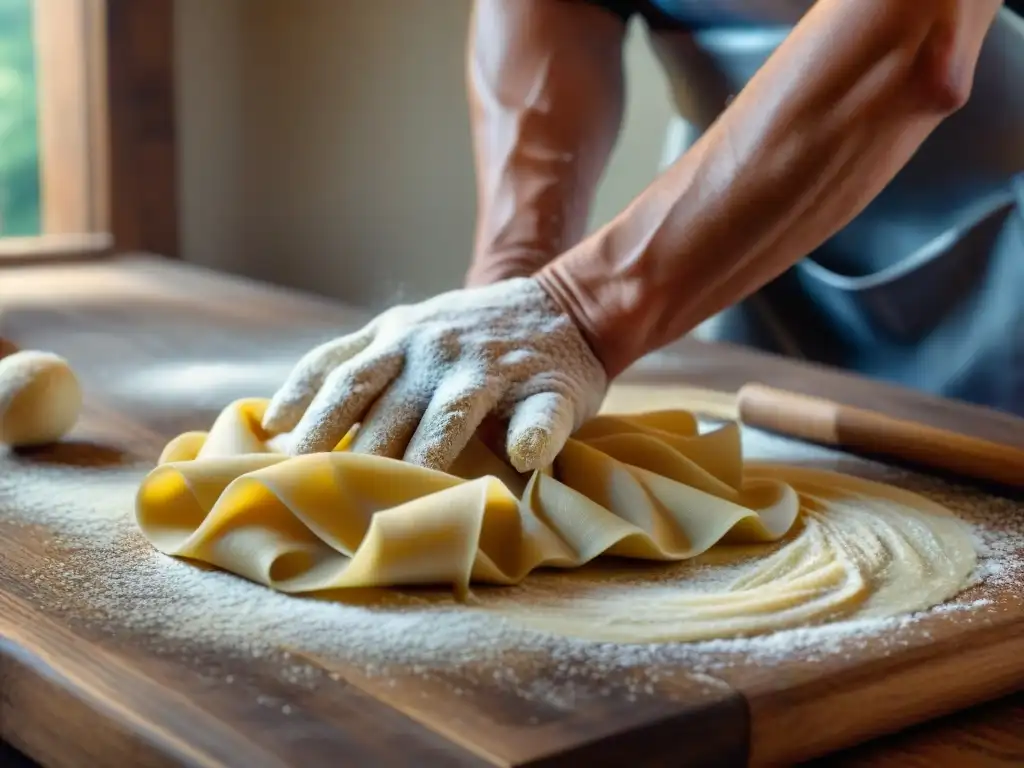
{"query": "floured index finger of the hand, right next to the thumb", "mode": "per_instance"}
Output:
(455, 412)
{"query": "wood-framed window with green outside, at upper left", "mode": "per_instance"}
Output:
(88, 151)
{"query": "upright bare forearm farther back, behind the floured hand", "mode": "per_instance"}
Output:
(545, 87)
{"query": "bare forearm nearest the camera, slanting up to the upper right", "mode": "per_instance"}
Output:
(826, 124)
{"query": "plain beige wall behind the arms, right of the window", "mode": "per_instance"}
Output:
(326, 143)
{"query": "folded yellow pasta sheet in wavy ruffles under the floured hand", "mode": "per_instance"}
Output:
(648, 487)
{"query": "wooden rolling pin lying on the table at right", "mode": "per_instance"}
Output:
(859, 431)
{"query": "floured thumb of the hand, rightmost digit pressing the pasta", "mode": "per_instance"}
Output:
(539, 428)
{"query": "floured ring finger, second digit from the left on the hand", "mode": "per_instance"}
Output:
(347, 395)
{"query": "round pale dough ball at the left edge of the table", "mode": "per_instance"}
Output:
(40, 399)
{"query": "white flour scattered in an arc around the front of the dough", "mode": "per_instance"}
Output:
(98, 572)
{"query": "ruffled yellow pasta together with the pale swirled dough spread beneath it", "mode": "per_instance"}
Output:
(646, 487)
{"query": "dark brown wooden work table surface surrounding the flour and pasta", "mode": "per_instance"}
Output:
(74, 691)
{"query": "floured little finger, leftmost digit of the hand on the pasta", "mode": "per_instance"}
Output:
(294, 397)
